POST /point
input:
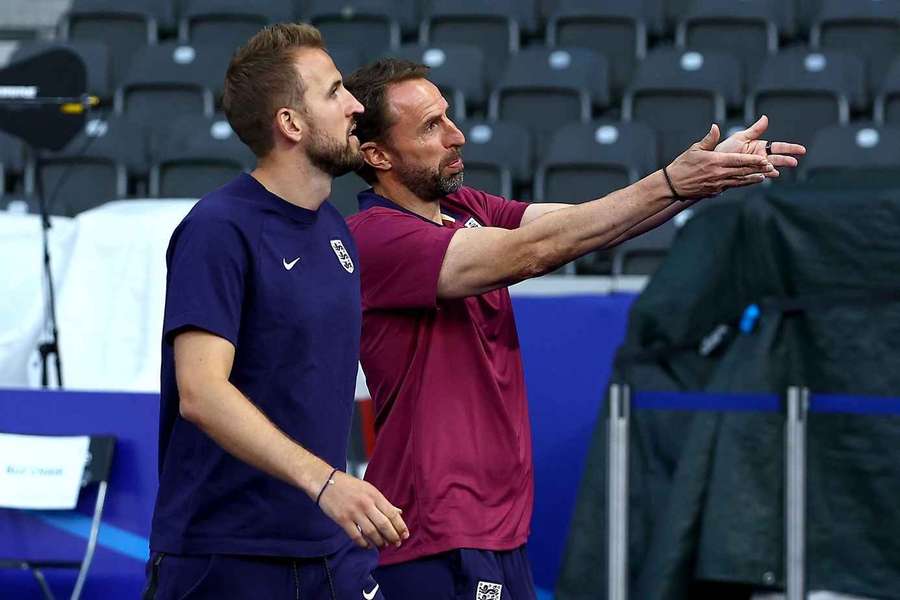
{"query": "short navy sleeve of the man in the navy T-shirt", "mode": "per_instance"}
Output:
(207, 265)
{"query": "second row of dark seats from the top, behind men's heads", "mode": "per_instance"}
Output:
(677, 92)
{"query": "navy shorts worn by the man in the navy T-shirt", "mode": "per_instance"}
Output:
(344, 575)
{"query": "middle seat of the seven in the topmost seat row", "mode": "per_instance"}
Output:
(493, 27)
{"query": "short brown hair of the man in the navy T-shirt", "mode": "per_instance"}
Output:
(261, 78)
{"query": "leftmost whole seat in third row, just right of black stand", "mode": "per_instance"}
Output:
(91, 170)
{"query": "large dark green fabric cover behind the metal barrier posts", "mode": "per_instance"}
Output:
(707, 488)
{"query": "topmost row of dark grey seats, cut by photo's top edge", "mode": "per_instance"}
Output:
(748, 30)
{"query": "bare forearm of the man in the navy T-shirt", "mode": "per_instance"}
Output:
(237, 425)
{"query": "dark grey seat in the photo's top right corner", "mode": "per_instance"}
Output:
(869, 28)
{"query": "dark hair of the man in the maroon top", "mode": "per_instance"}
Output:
(369, 84)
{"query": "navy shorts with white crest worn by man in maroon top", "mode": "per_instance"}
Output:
(464, 574)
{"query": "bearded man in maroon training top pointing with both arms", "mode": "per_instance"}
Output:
(439, 344)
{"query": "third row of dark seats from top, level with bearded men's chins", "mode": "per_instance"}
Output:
(192, 155)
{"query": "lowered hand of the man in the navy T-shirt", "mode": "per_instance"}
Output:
(362, 511)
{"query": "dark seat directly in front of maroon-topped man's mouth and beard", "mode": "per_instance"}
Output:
(497, 155)
